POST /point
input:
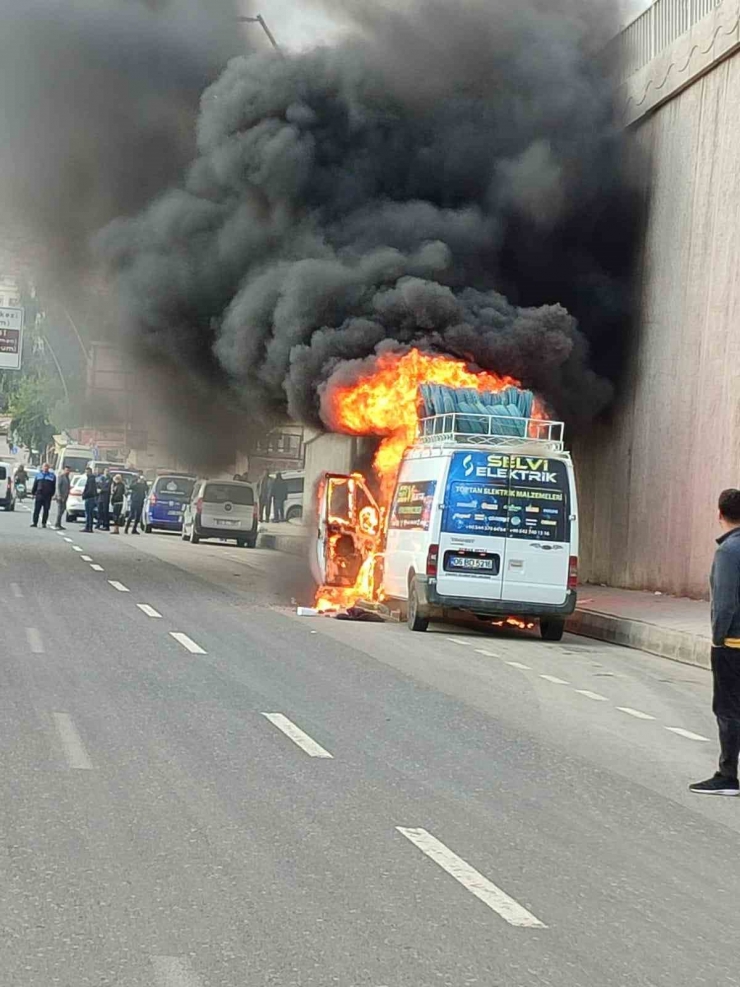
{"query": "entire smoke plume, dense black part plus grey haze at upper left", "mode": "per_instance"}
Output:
(446, 175)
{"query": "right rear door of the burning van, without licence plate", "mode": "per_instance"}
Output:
(536, 561)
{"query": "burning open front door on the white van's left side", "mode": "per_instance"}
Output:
(349, 529)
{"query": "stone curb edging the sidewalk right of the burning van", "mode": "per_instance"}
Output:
(690, 649)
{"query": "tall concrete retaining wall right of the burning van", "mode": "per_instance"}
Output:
(649, 478)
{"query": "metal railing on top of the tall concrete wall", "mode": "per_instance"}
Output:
(656, 29)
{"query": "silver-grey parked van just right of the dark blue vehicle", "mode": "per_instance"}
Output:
(221, 509)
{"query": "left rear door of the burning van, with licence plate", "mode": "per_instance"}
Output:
(472, 540)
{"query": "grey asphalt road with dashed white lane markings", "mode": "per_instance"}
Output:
(417, 810)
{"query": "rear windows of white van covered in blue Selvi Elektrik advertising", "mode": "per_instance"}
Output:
(514, 496)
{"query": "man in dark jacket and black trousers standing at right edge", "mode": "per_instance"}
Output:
(725, 584)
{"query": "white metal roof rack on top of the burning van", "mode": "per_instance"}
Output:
(486, 430)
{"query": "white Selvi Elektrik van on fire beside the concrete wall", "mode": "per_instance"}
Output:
(485, 524)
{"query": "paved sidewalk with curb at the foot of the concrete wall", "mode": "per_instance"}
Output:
(669, 626)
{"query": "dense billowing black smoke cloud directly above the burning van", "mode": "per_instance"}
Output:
(450, 176)
